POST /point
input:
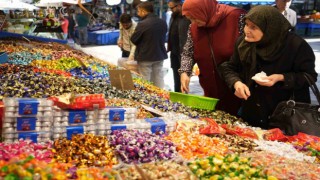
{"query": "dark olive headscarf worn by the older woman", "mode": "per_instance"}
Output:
(275, 28)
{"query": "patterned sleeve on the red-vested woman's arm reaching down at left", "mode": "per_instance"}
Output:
(187, 60)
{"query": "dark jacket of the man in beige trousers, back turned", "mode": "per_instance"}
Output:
(149, 38)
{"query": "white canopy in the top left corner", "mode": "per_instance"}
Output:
(16, 4)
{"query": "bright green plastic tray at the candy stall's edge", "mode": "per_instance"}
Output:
(195, 101)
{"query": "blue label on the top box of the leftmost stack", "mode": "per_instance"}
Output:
(28, 107)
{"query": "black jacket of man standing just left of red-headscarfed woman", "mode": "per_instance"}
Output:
(178, 33)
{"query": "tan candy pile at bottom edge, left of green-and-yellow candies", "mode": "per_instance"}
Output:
(158, 170)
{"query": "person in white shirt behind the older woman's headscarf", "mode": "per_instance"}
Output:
(289, 14)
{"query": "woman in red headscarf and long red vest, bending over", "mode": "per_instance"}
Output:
(217, 27)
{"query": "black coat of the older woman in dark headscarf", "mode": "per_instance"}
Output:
(296, 58)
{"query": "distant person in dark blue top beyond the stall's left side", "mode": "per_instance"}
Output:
(82, 22)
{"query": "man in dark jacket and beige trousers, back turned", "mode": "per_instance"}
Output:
(149, 38)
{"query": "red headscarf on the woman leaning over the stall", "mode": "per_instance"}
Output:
(208, 11)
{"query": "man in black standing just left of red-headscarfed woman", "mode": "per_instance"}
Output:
(178, 30)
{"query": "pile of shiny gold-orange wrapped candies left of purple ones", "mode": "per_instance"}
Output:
(85, 150)
